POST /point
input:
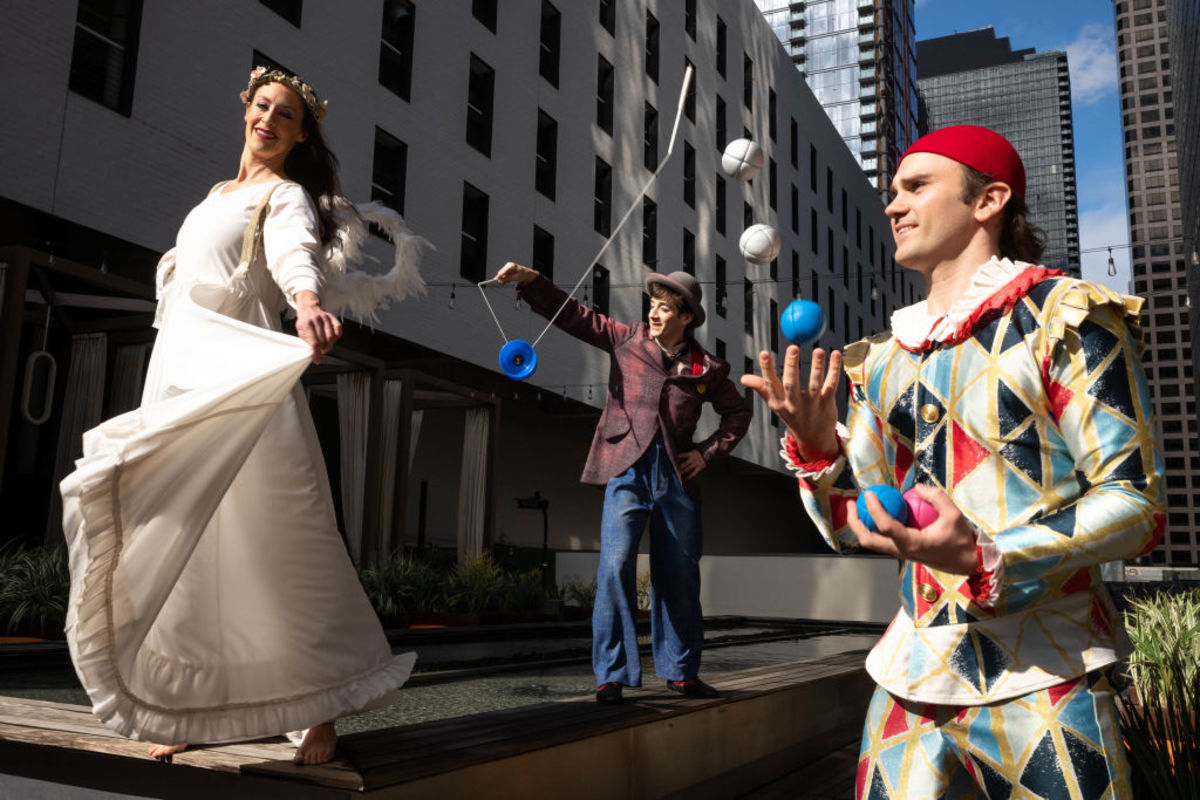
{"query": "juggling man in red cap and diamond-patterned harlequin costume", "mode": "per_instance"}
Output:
(1015, 400)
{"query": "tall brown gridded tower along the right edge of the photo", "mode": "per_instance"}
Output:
(1161, 255)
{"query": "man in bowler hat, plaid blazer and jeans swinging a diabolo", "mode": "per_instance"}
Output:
(645, 456)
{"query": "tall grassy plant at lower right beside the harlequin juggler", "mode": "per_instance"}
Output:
(1160, 723)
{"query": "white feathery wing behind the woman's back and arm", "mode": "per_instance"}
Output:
(361, 294)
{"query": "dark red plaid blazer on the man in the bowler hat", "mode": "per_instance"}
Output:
(643, 399)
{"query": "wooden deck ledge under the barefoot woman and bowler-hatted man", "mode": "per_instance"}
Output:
(770, 723)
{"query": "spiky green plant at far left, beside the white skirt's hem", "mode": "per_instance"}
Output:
(35, 585)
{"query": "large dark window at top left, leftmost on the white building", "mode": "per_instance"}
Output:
(104, 59)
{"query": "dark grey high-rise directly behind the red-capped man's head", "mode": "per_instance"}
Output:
(976, 79)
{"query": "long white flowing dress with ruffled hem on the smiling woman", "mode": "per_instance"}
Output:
(212, 597)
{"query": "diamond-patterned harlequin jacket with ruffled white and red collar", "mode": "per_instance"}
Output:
(1028, 405)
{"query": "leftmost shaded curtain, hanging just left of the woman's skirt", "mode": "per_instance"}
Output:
(82, 407)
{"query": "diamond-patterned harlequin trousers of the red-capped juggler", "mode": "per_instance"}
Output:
(1055, 744)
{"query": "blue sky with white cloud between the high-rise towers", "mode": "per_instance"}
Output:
(1085, 31)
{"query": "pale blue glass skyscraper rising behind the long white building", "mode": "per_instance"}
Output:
(860, 61)
